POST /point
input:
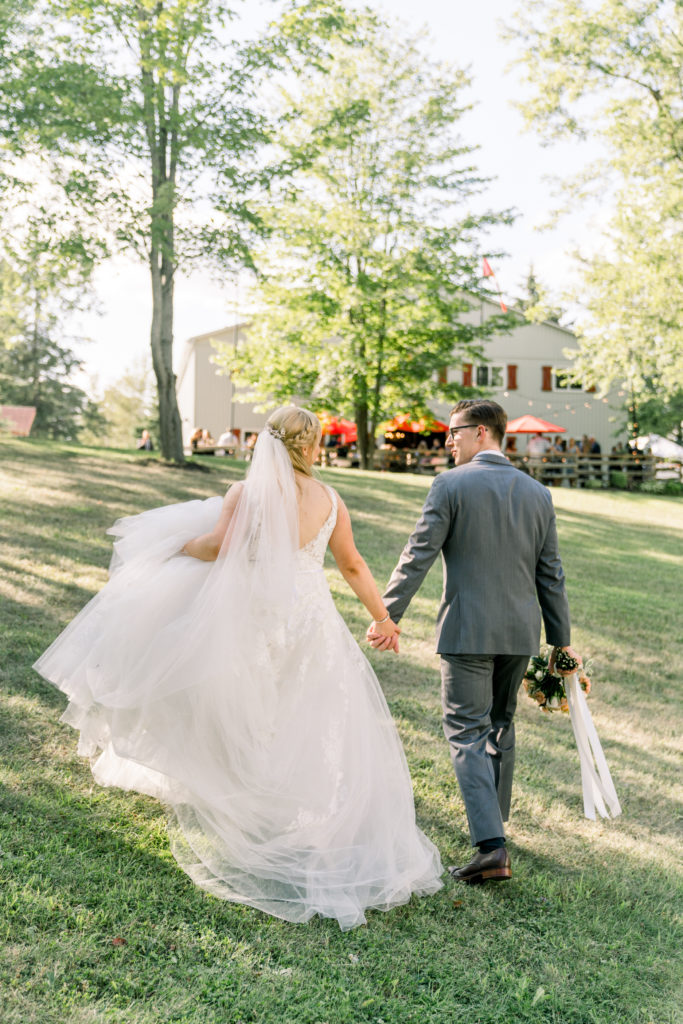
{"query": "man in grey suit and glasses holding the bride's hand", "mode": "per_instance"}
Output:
(495, 528)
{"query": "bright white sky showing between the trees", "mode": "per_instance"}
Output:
(467, 35)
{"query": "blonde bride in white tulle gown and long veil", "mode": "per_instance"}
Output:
(215, 673)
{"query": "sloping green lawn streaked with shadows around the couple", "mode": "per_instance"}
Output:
(98, 923)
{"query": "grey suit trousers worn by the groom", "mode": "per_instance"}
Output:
(480, 698)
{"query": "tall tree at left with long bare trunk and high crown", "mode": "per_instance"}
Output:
(150, 111)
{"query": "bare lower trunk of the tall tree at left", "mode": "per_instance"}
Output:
(170, 430)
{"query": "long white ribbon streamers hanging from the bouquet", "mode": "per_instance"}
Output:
(600, 792)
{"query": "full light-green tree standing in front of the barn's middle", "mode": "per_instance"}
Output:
(374, 250)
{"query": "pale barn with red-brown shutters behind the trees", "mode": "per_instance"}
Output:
(524, 373)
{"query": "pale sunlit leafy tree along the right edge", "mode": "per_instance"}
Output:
(612, 71)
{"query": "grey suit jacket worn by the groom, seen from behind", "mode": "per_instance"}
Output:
(495, 528)
